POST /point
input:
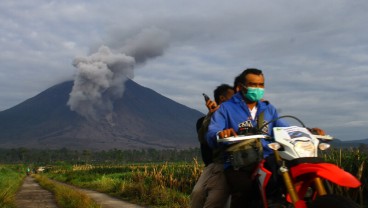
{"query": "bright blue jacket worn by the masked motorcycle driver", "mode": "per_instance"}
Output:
(234, 113)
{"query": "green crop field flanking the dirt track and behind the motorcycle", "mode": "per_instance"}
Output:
(155, 184)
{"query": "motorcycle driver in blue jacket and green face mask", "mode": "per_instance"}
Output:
(243, 111)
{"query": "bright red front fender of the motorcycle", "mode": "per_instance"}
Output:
(327, 171)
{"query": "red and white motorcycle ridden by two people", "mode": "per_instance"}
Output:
(297, 177)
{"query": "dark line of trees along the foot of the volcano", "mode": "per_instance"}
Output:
(113, 156)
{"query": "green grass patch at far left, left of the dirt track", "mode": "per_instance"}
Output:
(11, 177)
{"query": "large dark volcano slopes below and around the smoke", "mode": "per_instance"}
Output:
(142, 118)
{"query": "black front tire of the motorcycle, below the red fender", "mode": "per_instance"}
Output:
(333, 201)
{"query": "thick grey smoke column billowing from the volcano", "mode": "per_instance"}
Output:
(100, 77)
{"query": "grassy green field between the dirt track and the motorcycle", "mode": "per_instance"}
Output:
(156, 185)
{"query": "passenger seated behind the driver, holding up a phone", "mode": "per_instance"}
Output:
(211, 189)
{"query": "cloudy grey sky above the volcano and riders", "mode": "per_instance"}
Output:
(314, 54)
